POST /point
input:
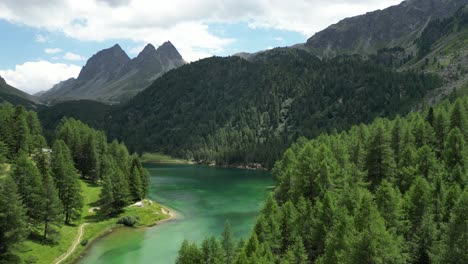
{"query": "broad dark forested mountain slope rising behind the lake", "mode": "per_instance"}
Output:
(233, 111)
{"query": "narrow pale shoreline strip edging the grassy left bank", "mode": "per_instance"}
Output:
(110, 230)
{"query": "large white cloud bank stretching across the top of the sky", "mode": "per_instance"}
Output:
(183, 22)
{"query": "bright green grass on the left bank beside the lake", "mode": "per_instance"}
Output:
(37, 252)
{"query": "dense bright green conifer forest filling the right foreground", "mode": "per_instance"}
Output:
(393, 191)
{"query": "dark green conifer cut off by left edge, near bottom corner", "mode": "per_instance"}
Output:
(13, 219)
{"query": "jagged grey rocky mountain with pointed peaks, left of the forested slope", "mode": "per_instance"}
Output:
(111, 76)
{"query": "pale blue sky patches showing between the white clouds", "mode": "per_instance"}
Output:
(26, 43)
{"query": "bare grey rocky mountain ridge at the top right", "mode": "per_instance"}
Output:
(398, 25)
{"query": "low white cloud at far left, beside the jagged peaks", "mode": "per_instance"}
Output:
(35, 76)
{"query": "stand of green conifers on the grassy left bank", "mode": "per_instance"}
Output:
(42, 190)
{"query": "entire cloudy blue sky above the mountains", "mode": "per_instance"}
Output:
(45, 42)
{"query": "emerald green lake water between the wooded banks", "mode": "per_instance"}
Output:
(204, 198)
